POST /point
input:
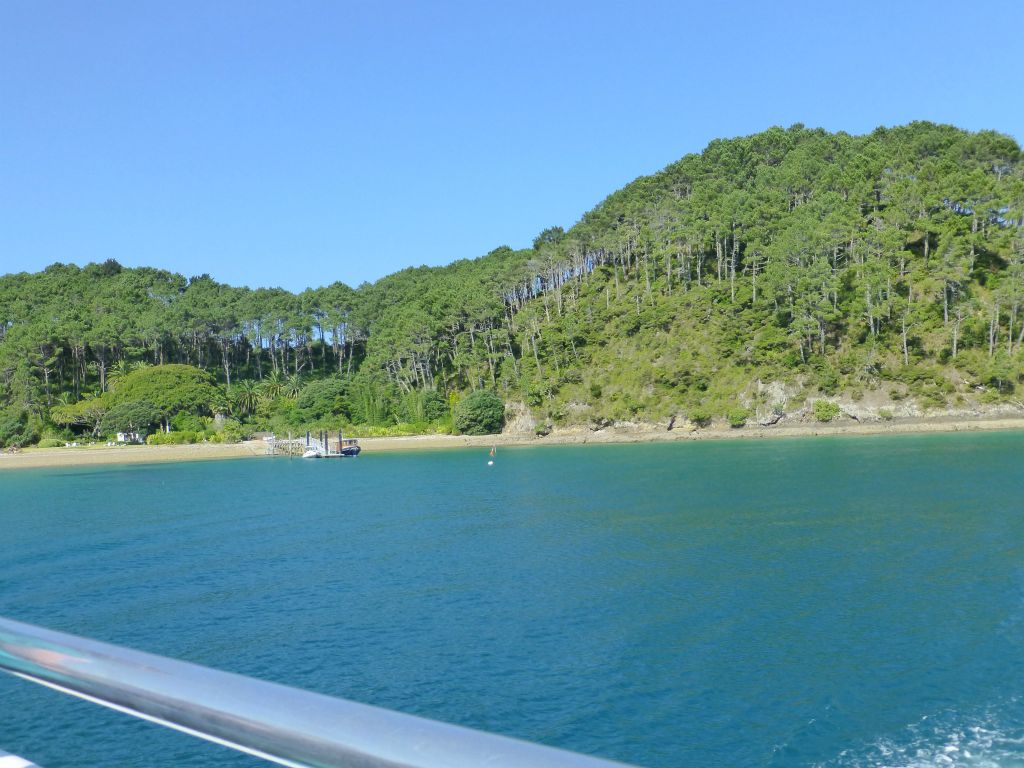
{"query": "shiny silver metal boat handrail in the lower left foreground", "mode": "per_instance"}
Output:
(279, 723)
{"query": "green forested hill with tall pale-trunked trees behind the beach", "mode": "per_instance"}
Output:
(767, 272)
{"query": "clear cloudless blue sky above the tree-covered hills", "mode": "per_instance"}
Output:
(295, 144)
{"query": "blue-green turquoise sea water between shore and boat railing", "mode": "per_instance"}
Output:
(822, 602)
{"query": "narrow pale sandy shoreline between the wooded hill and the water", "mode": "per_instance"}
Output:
(103, 455)
